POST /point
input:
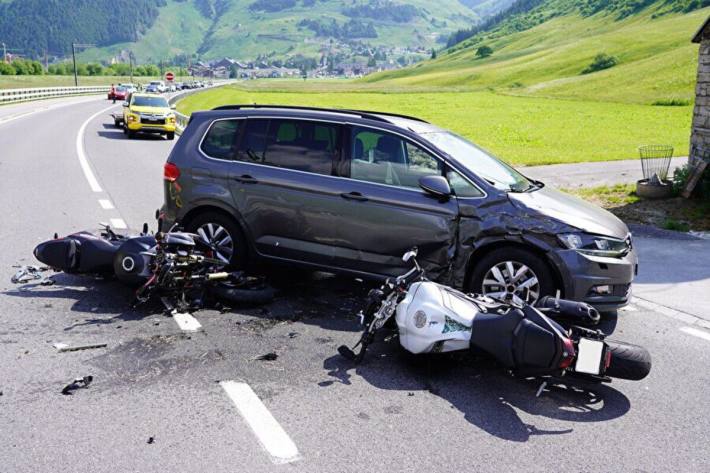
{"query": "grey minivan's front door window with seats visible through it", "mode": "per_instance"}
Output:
(383, 158)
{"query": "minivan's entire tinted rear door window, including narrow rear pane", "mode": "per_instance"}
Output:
(292, 144)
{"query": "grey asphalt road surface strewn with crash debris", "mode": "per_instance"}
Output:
(393, 413)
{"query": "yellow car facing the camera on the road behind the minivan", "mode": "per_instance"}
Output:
(148, 113)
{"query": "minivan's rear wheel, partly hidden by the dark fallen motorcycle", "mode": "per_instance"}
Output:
(222, 235)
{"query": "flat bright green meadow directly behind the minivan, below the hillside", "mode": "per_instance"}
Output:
(521, 130)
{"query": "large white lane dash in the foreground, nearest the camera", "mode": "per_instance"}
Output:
(270, 434)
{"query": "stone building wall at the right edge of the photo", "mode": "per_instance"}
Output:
(700, 136)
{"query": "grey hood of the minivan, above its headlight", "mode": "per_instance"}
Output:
(573, 211)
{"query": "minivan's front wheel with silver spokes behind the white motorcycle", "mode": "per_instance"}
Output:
(512, 273)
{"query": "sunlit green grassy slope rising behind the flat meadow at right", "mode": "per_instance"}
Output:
(656, 60)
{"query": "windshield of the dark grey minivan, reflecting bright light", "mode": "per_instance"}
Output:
(483, 164)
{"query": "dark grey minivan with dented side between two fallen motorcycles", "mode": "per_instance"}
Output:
(350, 191)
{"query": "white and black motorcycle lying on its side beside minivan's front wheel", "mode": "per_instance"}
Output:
(550, 340)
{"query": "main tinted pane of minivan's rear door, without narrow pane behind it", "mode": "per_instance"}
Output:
(301, 145)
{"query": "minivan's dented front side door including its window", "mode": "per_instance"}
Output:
(384, 211)
